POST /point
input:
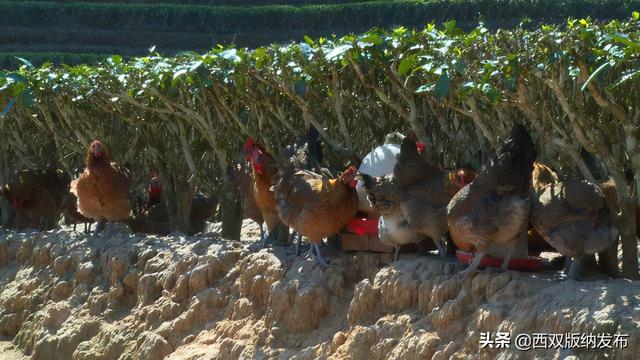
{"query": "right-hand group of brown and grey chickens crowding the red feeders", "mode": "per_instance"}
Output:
(508, 198)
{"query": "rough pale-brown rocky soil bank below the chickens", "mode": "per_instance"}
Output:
(70, 296)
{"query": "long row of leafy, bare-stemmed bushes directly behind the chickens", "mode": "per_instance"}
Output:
(575, 86)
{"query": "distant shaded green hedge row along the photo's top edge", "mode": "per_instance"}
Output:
(355, 16)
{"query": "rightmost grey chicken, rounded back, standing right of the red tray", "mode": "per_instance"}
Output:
(572, 216)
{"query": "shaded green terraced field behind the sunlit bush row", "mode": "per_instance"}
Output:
(75, 31)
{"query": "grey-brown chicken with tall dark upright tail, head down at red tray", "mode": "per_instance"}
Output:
(495, 207)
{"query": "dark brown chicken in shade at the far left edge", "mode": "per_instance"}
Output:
(37, 197)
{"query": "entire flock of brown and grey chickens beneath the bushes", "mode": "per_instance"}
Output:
(508, 198)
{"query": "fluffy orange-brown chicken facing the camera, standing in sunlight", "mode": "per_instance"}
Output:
(103, 187)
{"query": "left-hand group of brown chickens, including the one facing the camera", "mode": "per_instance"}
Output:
(100, 193)
